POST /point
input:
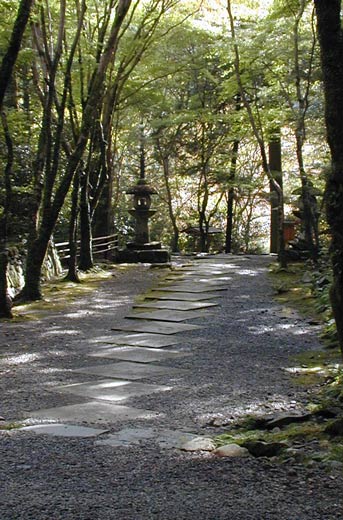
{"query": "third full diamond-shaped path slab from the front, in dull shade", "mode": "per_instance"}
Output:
(129, 370)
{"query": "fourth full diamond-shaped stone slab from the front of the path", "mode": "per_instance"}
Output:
(138, 354)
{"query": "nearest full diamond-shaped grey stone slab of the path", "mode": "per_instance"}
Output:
(93, 412)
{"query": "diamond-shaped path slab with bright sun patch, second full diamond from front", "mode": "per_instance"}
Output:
(110, 390)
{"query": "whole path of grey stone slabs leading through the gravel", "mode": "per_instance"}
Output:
(150, 333)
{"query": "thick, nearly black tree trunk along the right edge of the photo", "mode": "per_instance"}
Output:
(330, 33)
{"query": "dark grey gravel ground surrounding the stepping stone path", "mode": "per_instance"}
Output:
(235, 367)
